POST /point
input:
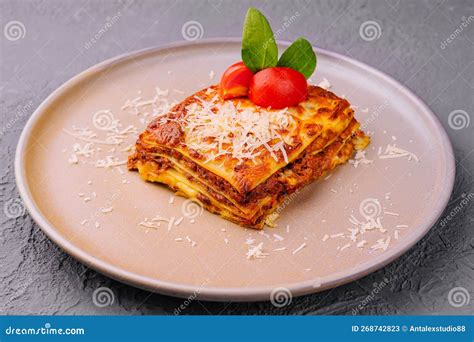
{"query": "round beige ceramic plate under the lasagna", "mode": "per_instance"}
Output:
(94, 213)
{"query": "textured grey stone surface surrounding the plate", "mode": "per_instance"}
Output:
(38, 278)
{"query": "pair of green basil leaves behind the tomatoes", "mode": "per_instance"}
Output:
(259, 49)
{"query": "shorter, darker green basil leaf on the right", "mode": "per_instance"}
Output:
(300, 57)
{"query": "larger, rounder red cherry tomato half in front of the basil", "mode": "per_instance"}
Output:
(278, 87)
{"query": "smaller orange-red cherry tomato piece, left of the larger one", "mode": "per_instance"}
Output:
(235, 81)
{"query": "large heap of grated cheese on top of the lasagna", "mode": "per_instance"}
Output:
(216, 128)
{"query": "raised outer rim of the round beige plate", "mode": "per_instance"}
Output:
(236, 294)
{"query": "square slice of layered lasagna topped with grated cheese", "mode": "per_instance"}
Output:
(241, 161)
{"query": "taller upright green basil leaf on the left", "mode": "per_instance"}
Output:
(259, 49)
